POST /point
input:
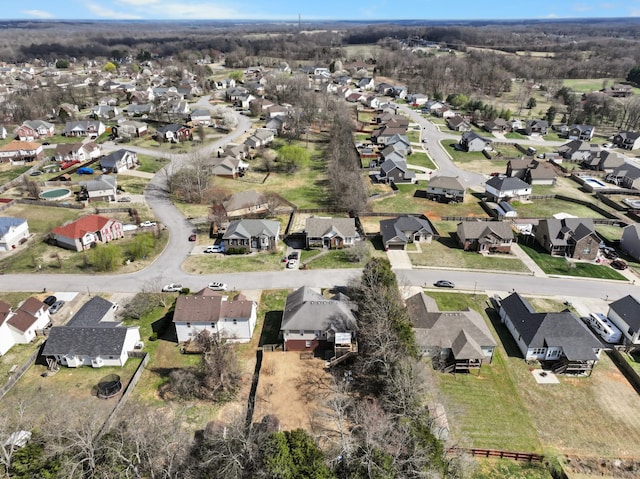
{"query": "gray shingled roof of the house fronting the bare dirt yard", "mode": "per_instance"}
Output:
(306, 309)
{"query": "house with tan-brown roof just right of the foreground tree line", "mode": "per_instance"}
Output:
(457, 341)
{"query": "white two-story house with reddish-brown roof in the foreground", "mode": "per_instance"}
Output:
(231, 319)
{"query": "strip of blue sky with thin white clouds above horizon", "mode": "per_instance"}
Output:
(316, 10)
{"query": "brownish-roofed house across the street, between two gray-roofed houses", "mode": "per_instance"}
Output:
(332, 233)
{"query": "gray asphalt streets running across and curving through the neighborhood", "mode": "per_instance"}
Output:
(167, 267)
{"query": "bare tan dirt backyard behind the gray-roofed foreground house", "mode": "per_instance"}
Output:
(292, 389)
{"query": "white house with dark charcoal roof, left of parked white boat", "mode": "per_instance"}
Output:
(560, 341)
